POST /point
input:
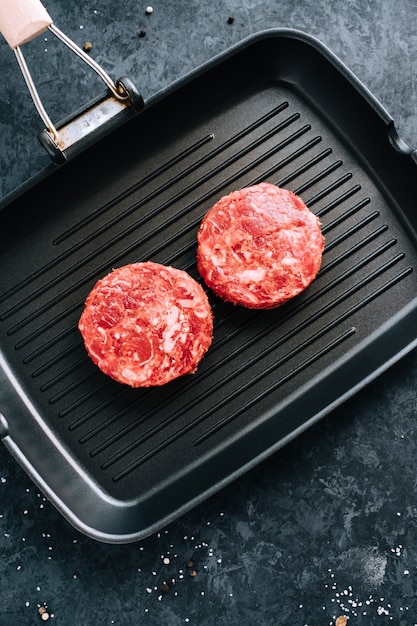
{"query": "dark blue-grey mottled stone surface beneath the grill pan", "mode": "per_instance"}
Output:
(326, 527)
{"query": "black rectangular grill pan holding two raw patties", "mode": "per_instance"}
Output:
(121, 463)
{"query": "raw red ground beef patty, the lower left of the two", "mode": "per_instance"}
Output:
(145, 324)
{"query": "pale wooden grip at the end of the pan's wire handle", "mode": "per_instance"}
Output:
(22, 20)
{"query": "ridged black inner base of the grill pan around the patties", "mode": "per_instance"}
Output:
(259, 359)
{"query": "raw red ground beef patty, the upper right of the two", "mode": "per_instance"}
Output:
(259, 247)
